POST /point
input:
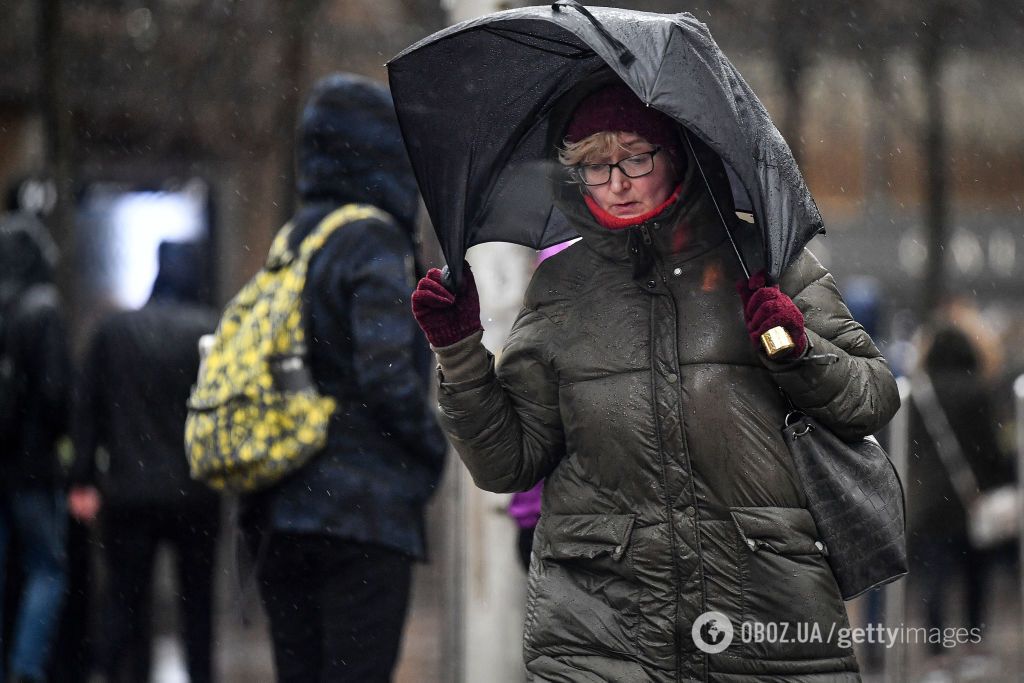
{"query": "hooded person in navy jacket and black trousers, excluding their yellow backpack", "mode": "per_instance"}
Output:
(335, 542)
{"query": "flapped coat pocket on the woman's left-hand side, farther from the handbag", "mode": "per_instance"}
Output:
(583, 596)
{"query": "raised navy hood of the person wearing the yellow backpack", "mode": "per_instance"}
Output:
(351, 149)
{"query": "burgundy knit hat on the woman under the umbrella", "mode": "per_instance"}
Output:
(616, 108)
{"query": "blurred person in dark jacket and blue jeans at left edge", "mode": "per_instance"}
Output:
(35, 374)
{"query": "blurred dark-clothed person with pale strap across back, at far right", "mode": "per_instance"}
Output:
(942, 556)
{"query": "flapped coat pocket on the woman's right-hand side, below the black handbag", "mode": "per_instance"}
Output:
(786, 581)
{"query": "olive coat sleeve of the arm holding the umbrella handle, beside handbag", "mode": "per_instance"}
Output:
(843, 380)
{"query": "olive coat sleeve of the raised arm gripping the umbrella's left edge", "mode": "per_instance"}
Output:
(506, 426)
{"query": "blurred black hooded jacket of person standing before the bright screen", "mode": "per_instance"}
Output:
(133, 392)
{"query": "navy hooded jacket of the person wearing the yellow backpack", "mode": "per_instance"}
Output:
(386, 451)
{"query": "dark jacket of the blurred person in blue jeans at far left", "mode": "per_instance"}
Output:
(35, 370)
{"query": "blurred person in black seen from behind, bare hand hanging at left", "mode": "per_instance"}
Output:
(132, 404)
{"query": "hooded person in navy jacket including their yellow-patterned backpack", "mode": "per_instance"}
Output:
(336, 537)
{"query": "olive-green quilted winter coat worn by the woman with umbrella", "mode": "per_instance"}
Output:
(630, 383)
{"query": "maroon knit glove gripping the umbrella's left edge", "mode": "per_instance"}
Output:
(444, 317)
